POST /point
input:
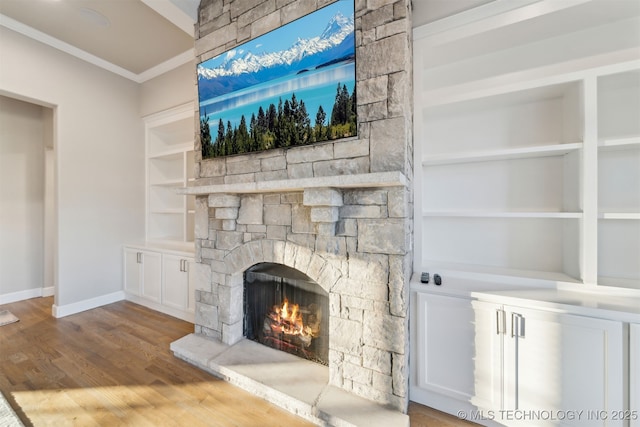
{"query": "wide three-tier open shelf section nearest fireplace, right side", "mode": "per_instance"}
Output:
(499, 184)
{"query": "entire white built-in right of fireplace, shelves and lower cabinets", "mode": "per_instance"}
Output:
(527, 176)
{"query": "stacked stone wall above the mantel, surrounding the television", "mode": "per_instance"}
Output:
(383, 85)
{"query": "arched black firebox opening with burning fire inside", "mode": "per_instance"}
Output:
(286, 310)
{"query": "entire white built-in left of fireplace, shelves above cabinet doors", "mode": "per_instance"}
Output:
(158, 272)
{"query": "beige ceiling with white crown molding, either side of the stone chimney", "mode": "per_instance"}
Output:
(140, 39)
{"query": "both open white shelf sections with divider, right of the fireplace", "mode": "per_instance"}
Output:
(507, 179)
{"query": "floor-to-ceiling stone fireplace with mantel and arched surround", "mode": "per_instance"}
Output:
(335, 214)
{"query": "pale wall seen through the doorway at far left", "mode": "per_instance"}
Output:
(21, 198)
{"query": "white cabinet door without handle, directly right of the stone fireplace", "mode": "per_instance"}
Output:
(445, 345)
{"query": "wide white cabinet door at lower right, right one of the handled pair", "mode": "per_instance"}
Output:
(561, 362)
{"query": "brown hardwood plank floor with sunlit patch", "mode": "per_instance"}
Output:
(111, 366)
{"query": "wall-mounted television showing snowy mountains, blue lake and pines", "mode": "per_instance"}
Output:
(290, 87)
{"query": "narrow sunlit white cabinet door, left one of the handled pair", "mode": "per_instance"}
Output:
(489, 326)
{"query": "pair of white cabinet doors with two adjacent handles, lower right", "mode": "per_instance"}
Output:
(549, 362)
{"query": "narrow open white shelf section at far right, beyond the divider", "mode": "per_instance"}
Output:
(619, 179)
